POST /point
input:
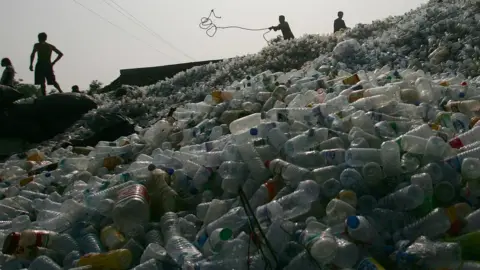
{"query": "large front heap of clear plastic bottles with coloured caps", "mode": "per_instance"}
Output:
(371, 170)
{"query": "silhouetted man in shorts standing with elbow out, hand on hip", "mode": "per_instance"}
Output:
(44, 67)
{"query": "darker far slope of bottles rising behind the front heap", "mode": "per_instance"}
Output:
(438, 37)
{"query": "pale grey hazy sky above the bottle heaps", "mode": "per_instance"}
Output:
(94, 49)
